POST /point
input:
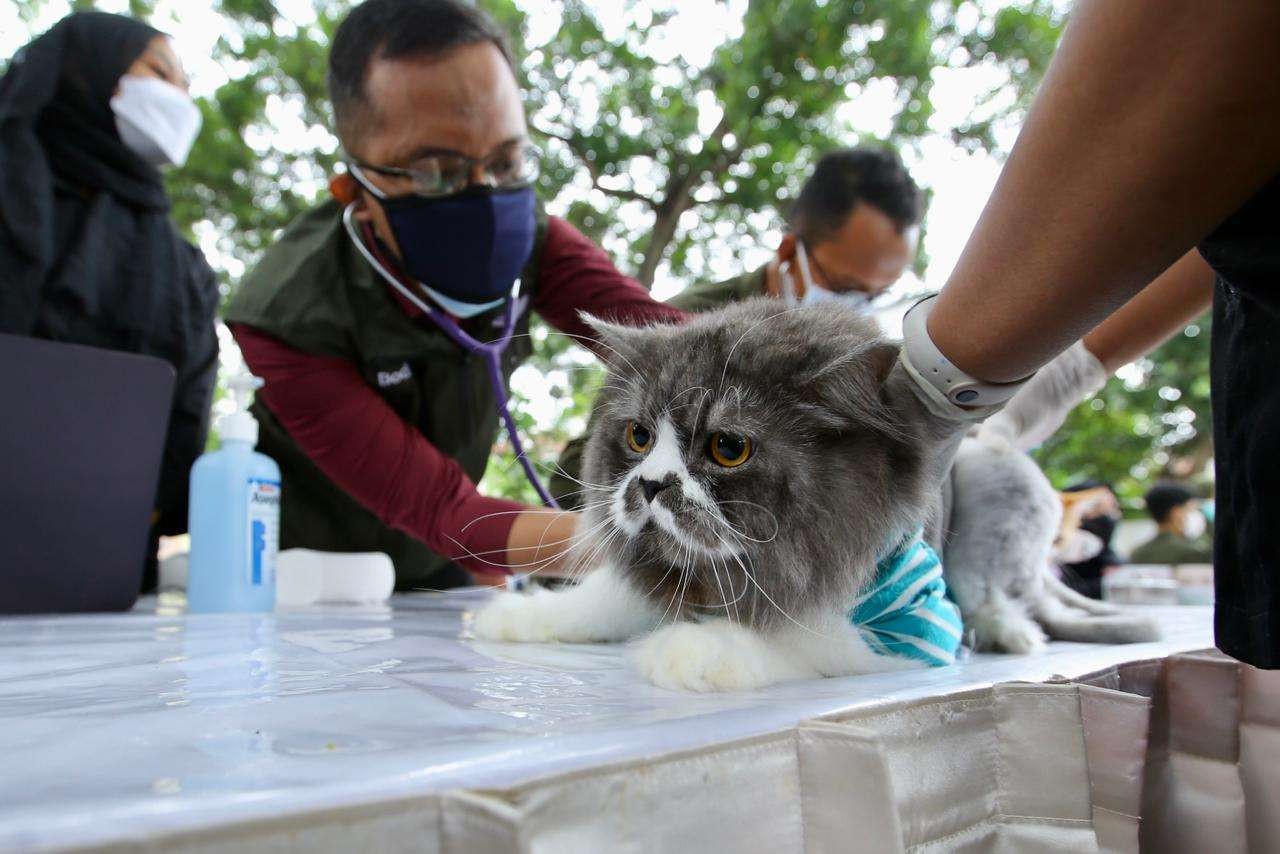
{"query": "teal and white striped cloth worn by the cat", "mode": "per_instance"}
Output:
(906, 611)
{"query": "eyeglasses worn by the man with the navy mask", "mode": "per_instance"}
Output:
(445, 175)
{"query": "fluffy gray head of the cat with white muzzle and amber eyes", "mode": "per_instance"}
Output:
(751, 462)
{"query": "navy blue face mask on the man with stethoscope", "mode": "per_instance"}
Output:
(467, 250)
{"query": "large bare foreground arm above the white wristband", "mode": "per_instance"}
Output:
(1155, 122)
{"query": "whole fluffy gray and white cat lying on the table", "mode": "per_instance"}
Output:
(746, 474)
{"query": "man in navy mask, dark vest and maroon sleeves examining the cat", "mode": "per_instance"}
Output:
(382, 422)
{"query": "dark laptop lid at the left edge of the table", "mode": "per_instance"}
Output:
(83, 433)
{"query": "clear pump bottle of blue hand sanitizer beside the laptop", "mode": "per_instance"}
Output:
(235, 518)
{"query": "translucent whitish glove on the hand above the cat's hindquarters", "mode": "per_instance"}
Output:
(1040, 408)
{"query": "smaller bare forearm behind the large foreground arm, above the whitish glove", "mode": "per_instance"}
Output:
(1181, 295)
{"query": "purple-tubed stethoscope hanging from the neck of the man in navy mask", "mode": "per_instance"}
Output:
(490, 351)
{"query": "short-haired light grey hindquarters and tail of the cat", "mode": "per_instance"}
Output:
(1004, 524)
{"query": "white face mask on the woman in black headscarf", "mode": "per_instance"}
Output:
(157, 121)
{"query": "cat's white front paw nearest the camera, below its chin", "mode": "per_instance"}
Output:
(707, 657)
